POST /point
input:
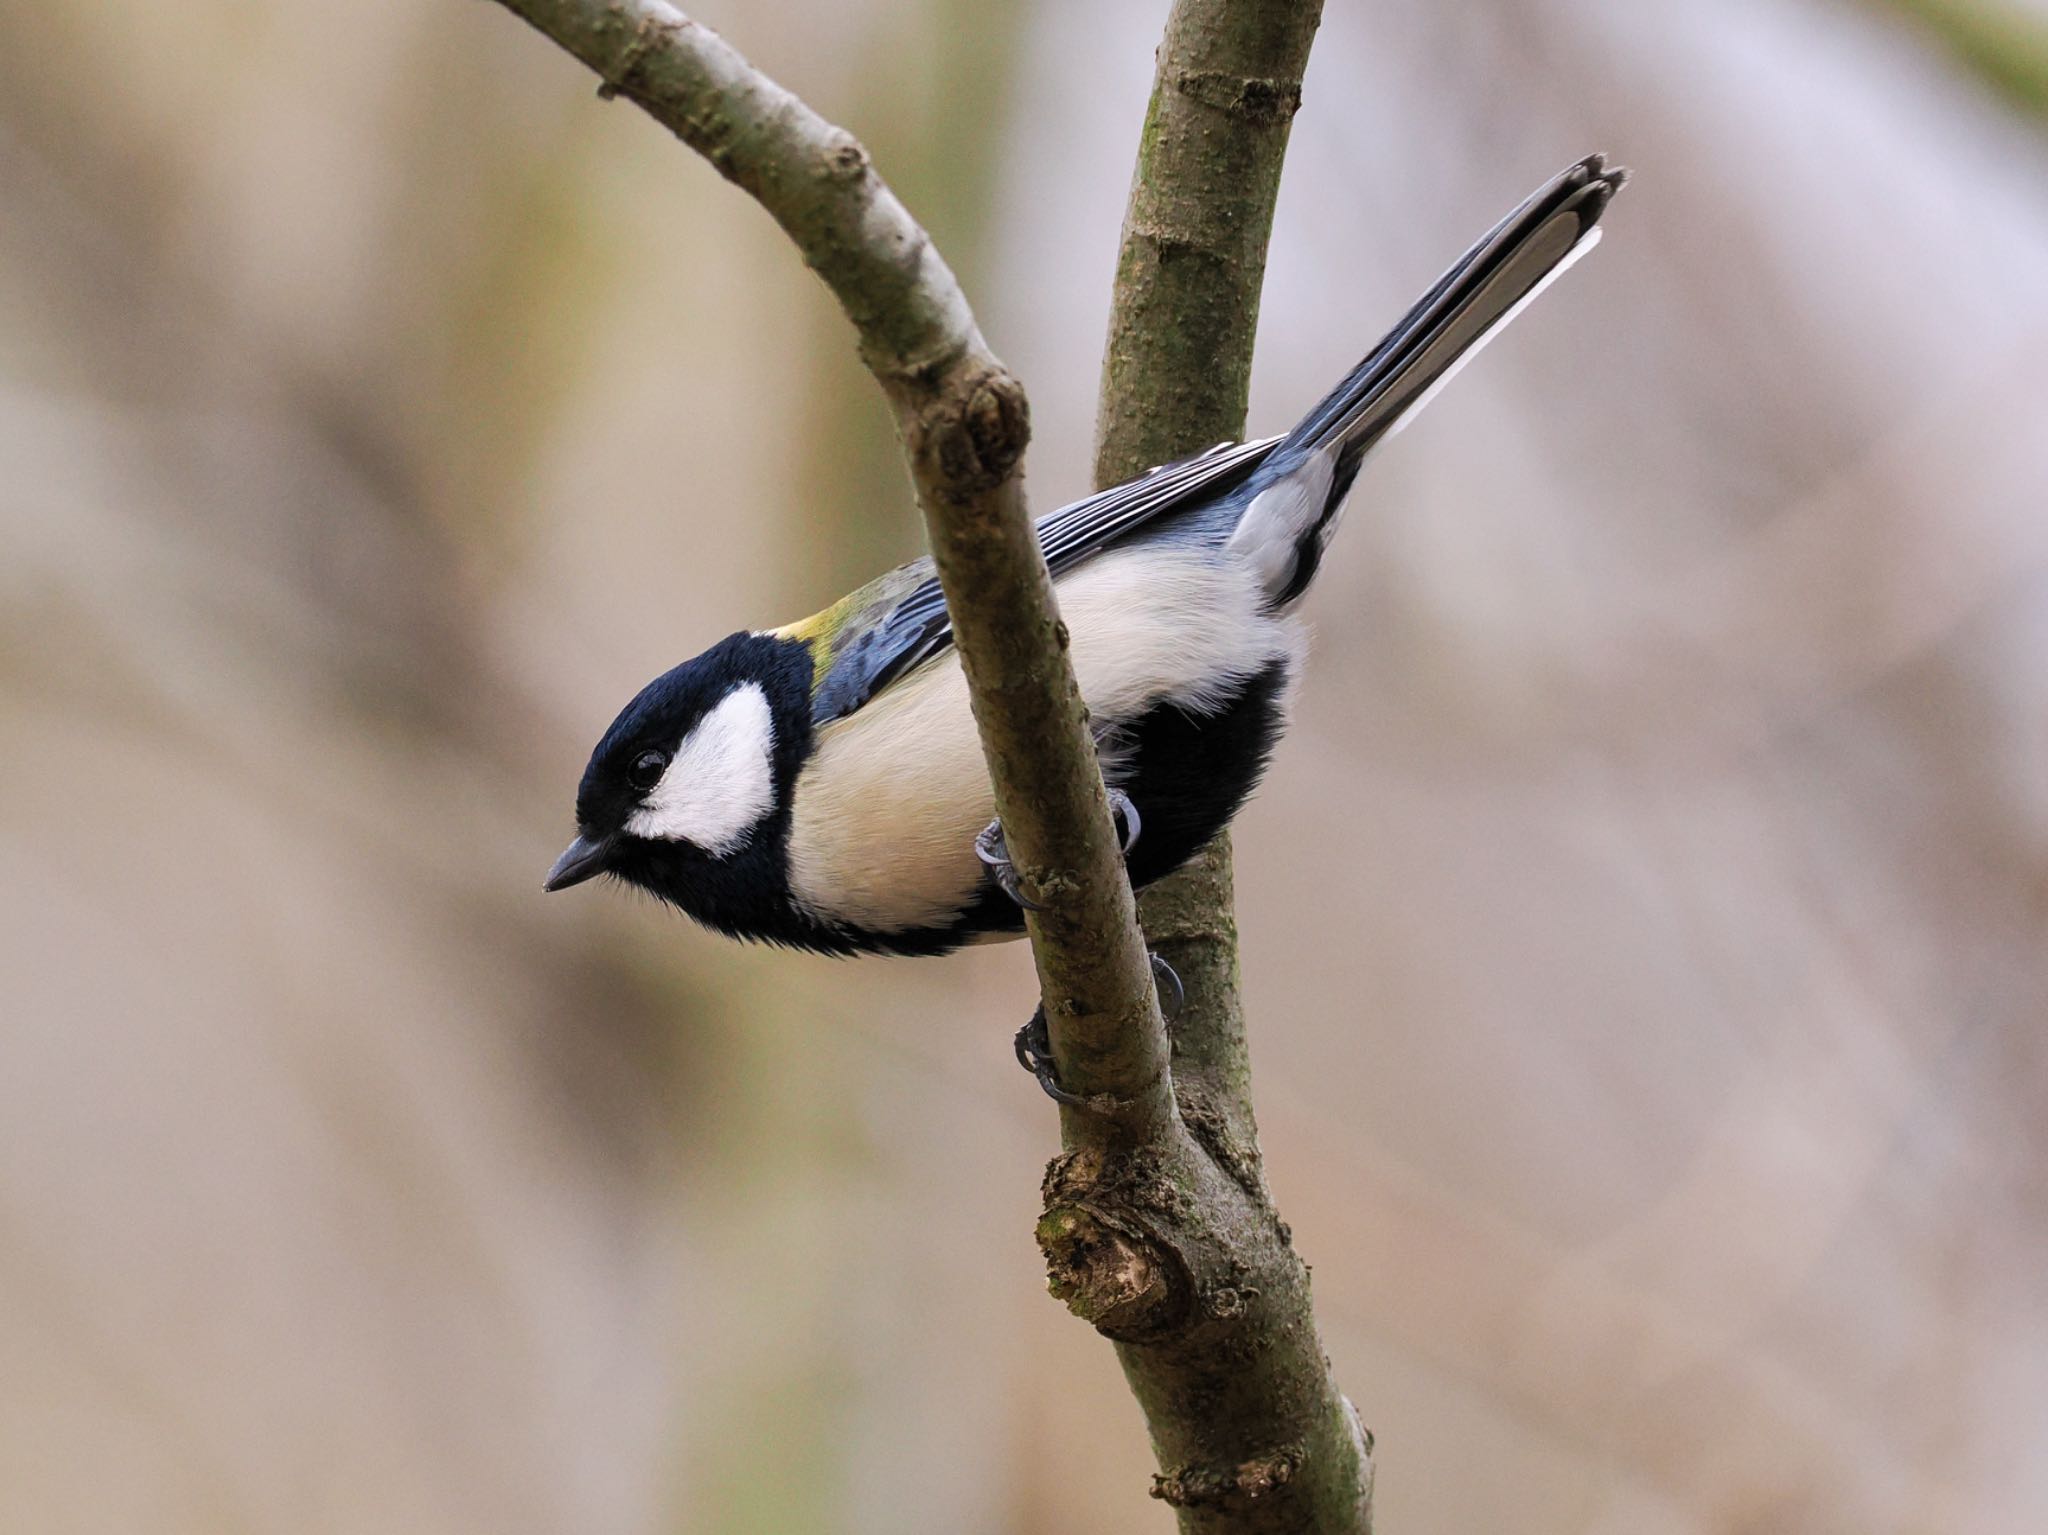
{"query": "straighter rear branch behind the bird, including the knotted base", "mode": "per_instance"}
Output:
(1177, 1249)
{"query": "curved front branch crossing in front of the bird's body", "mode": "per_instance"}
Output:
(966, 427)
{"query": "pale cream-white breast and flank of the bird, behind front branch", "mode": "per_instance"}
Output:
(894, 795)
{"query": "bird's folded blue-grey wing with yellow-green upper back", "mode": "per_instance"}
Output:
(888, 627)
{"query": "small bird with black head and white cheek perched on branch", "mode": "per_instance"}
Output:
(822, 785)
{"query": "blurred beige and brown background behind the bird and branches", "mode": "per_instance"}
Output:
(1646, 924)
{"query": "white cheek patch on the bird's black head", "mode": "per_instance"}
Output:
(722, 783)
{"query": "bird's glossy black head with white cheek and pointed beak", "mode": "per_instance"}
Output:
(697, 771)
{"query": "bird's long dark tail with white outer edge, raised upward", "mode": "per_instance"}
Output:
(1310, 472)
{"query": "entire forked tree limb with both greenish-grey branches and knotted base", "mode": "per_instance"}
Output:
(1158, 1225)
